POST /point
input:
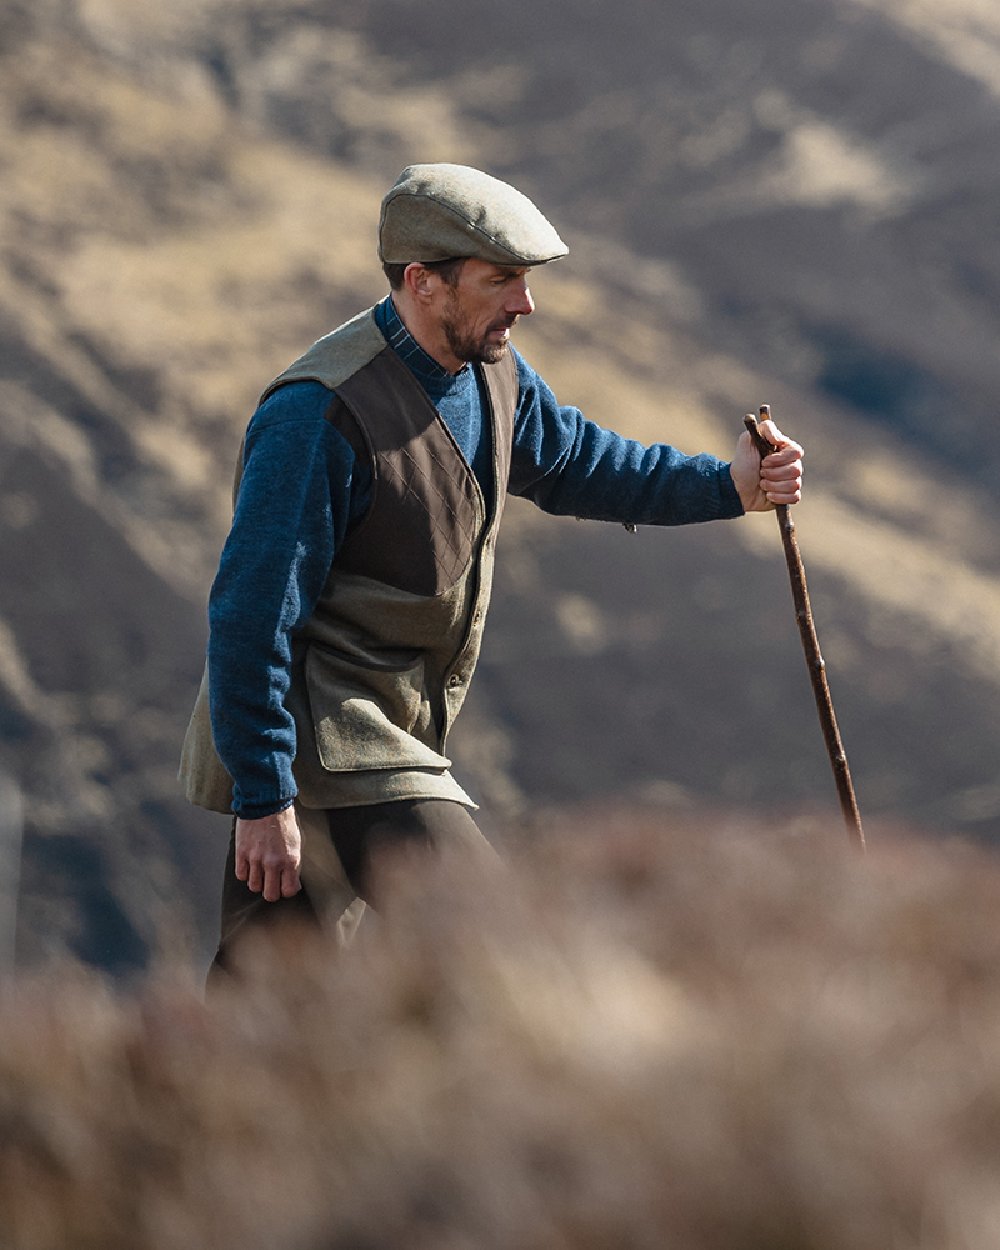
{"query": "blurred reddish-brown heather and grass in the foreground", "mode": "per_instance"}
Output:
(626, 1037)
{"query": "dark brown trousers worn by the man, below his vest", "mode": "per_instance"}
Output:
(341, 847)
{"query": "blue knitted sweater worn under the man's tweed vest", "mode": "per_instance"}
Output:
(303, 491)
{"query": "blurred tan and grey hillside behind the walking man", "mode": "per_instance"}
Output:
(784, 202)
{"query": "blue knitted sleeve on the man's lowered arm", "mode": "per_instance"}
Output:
(299, 494)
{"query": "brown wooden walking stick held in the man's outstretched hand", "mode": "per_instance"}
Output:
(812, 648)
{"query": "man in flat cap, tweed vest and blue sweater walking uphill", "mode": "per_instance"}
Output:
(348, 611)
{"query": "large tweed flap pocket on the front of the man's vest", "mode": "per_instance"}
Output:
(369, 714)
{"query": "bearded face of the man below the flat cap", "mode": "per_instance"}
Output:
(479, 311)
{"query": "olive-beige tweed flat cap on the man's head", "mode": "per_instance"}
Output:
(442, 212)
